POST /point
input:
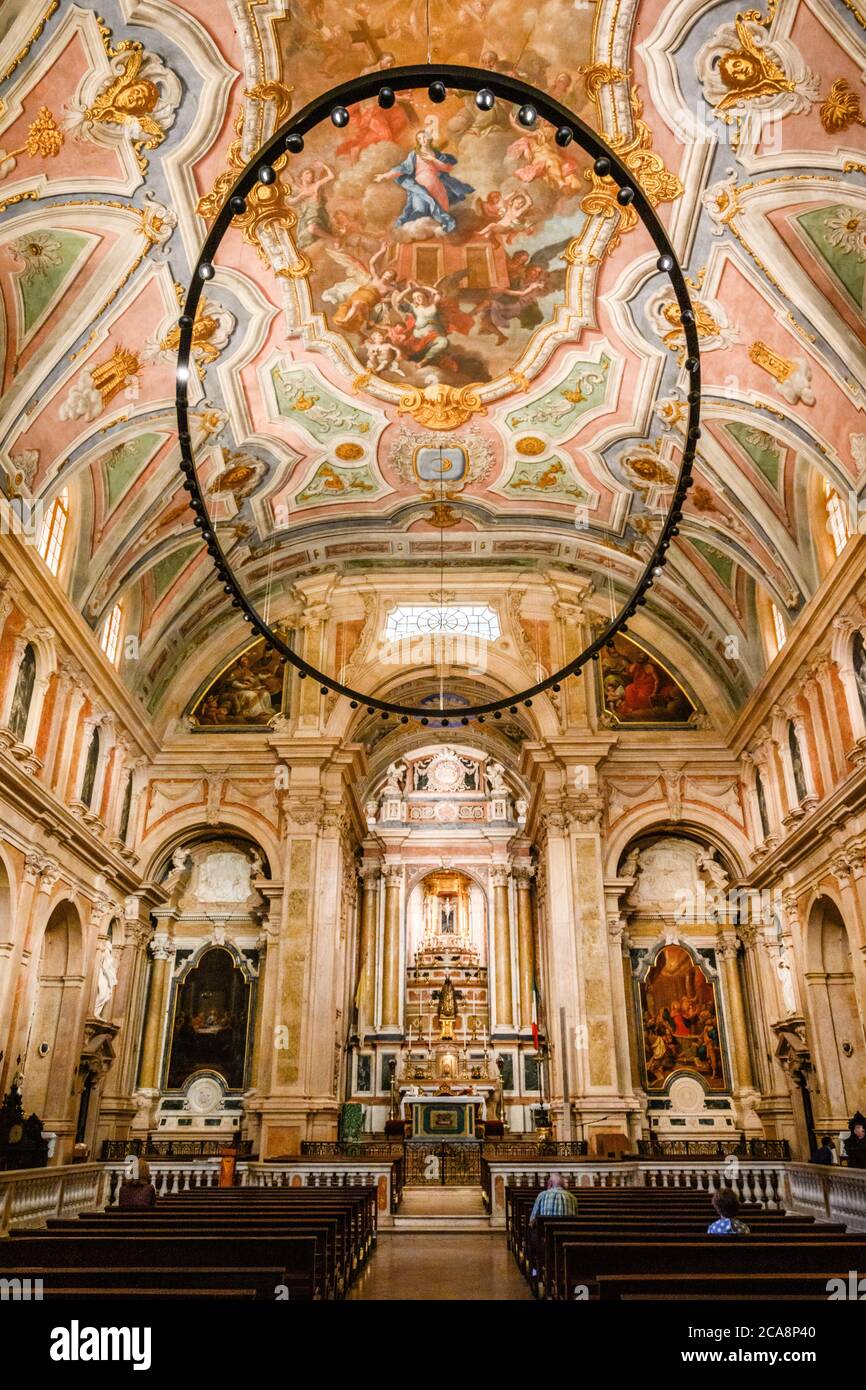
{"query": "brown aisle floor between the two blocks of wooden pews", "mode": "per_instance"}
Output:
(441, 1268)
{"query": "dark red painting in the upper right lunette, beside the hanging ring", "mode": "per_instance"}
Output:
(637, 692)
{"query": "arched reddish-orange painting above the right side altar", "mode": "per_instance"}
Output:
(680, 1020)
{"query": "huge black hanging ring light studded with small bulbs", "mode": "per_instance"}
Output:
(316, 112)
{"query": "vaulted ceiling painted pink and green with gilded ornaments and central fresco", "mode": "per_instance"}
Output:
(491, 376)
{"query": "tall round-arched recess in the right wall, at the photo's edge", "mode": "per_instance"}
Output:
(835, 1013)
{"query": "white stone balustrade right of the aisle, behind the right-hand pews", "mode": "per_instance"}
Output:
(755, 1181)
